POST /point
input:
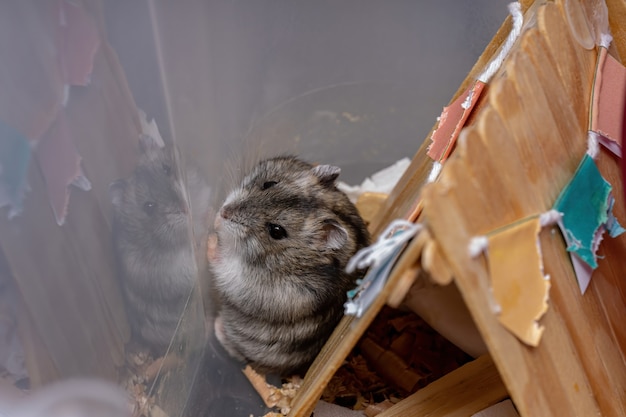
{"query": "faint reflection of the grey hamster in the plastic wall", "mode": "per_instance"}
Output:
(153, 241)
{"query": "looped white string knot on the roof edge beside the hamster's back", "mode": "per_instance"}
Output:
(385, 245)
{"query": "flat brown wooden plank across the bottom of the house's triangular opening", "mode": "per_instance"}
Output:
(473, 387)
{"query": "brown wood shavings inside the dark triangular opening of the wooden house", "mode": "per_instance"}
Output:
(398, 355)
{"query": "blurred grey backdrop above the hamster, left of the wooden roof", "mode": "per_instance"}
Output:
(358, 83)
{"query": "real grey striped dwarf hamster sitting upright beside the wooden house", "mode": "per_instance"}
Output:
(285, 236)
